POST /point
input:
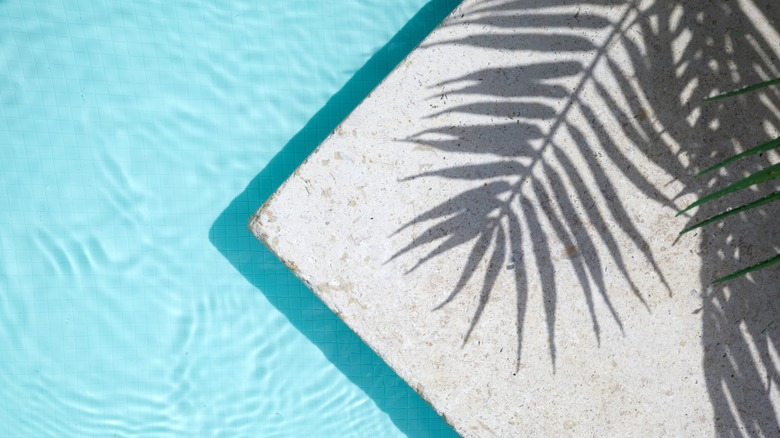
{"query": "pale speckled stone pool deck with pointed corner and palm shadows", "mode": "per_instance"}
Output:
(497, 221)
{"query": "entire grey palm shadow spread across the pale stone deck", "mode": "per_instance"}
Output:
(650, 109)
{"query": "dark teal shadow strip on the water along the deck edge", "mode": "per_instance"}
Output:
(230, 235)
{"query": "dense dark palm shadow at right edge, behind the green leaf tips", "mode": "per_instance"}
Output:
(739, 337)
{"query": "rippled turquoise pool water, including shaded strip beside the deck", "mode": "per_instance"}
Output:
(136, 138)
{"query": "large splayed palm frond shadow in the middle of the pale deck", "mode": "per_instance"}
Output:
(537, 179)
